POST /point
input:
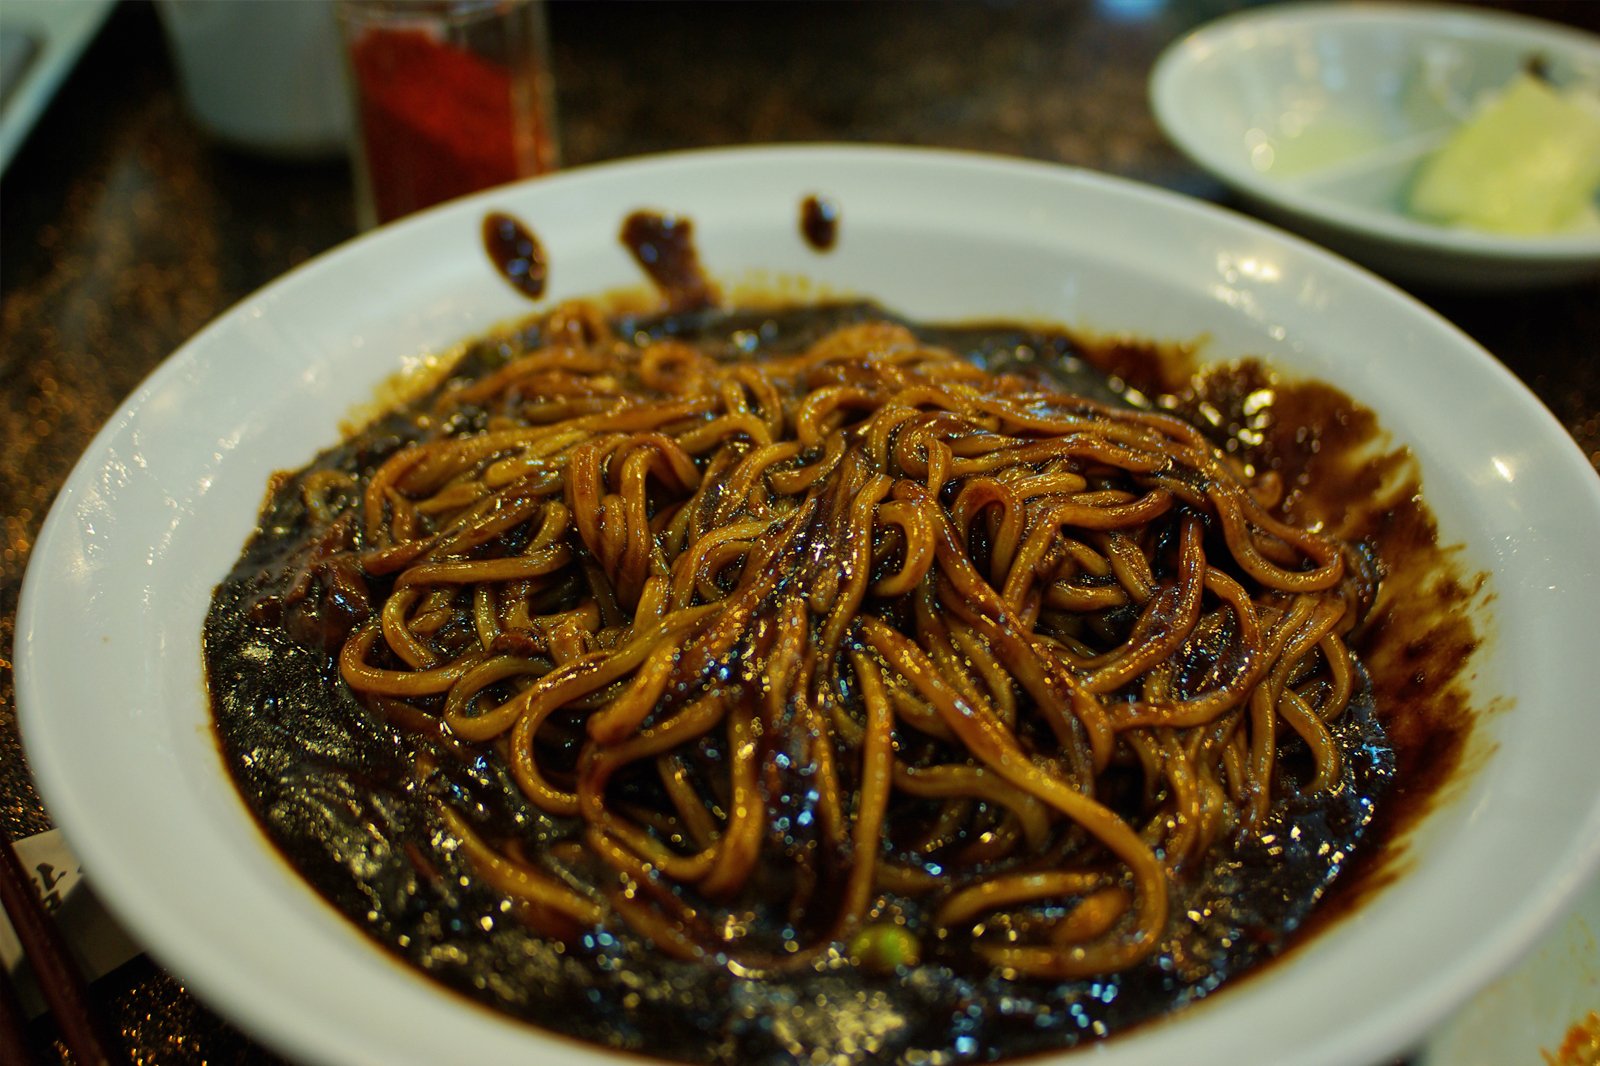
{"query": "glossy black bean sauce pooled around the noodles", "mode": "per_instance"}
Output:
(335, 788)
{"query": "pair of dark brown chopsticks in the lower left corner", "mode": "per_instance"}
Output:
(60, 979)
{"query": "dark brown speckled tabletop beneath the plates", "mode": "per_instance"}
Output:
(126, 231)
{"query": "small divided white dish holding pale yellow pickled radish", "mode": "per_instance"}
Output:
(1319, 114)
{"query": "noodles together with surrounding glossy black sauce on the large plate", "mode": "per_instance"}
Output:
(809, 684)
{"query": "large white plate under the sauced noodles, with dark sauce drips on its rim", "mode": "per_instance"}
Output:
(110, 681)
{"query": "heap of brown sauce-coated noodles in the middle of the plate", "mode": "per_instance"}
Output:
(810, 635)
